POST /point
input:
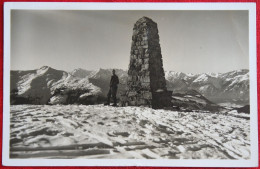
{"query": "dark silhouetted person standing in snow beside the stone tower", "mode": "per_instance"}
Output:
(113, 88)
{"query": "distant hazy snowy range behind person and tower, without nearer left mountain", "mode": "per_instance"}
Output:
(231, 87)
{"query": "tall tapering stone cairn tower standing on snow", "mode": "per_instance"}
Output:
(146, 85)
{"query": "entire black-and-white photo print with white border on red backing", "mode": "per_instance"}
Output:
(142, 84)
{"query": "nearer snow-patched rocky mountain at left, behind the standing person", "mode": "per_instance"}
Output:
(49, 86)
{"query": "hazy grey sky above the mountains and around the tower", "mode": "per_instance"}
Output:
(191, 41)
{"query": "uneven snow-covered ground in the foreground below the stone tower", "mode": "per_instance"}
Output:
(97, 131)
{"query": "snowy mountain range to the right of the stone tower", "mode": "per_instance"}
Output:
(218, 87)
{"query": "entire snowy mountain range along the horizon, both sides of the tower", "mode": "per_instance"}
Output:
(50, 86)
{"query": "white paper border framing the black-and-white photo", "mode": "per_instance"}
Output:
(251, 7)
